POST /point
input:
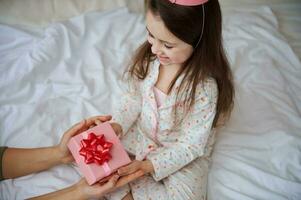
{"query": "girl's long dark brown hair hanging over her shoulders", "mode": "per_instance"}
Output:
(208, 58)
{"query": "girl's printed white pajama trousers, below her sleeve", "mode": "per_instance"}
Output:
(188, 183)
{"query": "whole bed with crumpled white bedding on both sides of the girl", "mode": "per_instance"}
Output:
(55, 73)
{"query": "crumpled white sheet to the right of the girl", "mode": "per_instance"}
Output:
(257, 156)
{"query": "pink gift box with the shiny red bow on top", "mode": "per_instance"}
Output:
(98, 152)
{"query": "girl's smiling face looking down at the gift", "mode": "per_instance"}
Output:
(169, 49)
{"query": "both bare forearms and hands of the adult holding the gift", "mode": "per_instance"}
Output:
(18, 162)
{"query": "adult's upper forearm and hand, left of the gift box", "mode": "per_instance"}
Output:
(18, 162)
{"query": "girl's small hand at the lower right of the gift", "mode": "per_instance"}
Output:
(145, 166)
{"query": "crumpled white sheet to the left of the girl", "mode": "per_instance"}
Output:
(53, 78)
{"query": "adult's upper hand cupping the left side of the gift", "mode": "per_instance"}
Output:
(84, 125)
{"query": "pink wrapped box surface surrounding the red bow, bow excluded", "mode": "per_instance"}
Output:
(93, 172)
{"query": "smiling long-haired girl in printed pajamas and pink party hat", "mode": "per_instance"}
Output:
(180, 88)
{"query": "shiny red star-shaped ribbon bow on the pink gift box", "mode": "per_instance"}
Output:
(95, 149)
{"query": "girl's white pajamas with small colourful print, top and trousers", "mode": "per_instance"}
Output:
(178, 147)
